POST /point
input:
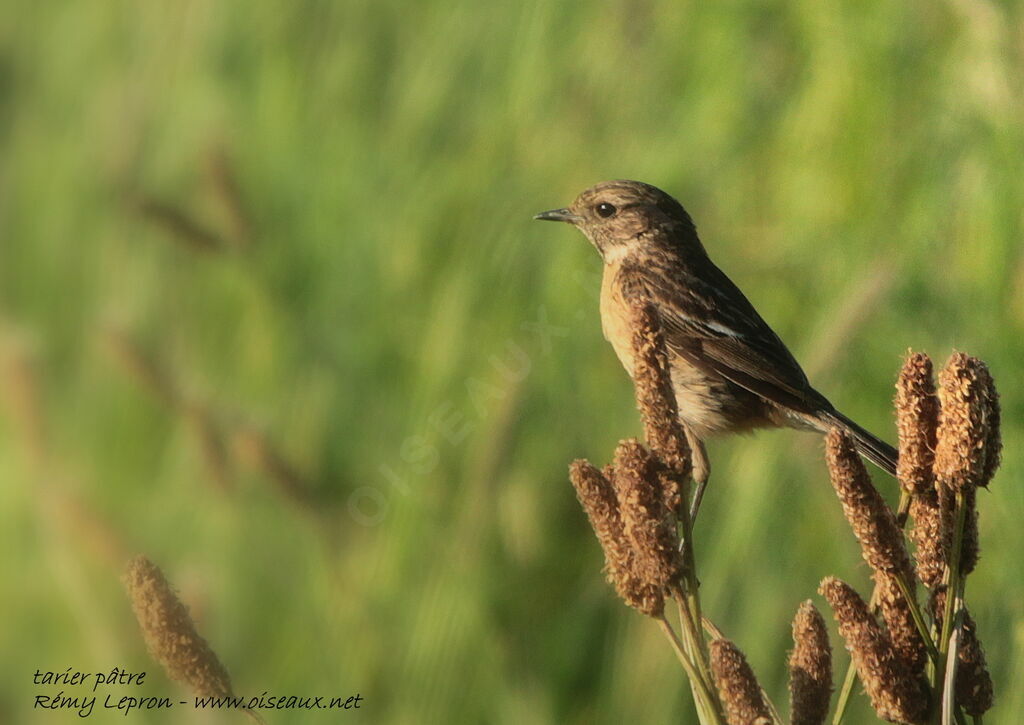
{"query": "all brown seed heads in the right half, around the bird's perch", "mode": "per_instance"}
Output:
(950, 447)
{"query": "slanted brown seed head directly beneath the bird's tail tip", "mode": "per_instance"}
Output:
(873, 522)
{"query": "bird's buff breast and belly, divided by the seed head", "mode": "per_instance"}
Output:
(708, 406)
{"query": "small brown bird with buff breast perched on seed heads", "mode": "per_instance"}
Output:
(732, 373)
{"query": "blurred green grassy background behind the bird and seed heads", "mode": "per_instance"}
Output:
(274, 313)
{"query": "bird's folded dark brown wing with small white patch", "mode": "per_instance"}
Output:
(711, 324)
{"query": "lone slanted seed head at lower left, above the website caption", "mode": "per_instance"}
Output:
(170, 634)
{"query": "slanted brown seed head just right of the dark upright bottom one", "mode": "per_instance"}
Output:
(897, 695)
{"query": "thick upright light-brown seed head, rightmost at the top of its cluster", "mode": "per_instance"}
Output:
(961, 457)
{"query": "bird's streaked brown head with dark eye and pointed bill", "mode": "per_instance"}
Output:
(620, 218)
